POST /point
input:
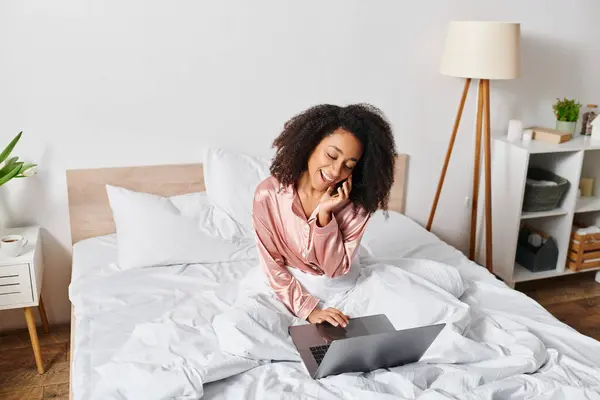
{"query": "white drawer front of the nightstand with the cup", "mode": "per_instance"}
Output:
(15, 284)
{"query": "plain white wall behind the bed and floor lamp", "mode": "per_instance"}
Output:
(111, 83)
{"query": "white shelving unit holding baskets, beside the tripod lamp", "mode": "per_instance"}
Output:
(579, 157)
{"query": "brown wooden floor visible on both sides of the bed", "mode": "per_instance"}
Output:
(574, 300)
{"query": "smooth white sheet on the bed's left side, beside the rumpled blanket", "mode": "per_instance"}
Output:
(154, 291)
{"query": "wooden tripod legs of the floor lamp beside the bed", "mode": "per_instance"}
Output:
(482, 125)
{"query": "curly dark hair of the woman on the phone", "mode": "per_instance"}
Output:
(373, 175)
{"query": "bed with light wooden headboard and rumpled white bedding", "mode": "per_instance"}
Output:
(182, 332)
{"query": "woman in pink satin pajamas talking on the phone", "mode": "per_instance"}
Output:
(333, 168)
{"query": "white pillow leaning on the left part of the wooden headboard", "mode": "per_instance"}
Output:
(153, 231)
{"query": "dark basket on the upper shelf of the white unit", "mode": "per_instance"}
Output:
(544, 198)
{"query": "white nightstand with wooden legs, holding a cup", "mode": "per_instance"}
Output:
(21, 283)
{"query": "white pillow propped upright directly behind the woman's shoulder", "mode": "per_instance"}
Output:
(231, 179)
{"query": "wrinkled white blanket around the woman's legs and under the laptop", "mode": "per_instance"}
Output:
(238, 330)
